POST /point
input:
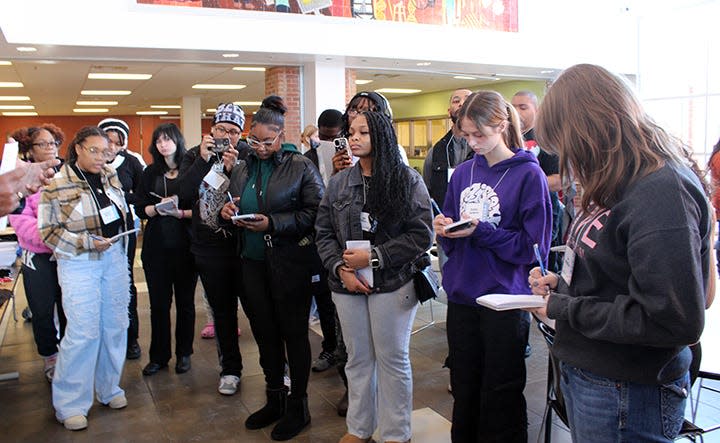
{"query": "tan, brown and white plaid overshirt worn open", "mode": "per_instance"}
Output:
(68, 215)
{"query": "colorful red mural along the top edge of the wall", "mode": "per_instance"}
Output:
(493, 15)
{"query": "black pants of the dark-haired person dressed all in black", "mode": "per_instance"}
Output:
(172, 271)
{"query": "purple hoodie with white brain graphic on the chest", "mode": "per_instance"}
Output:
(512, 202)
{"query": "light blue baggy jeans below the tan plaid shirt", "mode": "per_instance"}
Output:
(96, 294)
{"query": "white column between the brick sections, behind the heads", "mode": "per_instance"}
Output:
(323, 88)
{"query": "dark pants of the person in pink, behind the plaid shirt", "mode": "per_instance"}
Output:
(44, 295)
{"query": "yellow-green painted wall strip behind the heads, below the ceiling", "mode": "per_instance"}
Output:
(435, 104)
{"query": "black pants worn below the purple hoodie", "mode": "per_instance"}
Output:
(487, 374)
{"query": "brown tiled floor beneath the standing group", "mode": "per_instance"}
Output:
(187, 407)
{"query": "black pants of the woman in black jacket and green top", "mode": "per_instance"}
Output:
(277, 302)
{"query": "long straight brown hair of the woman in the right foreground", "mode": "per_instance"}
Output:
(595, 123)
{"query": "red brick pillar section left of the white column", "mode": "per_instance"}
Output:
(285, 82)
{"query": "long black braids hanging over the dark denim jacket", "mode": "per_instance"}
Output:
(390, 194)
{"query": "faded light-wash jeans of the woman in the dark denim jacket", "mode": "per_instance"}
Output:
(376, 329)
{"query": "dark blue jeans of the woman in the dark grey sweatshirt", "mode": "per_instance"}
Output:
(602, 410)
